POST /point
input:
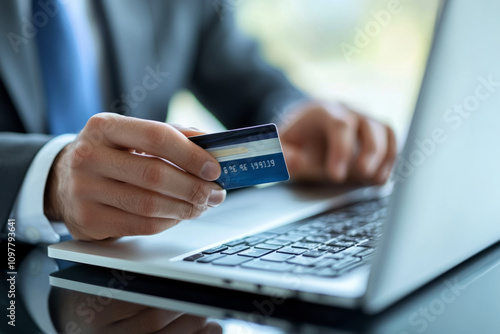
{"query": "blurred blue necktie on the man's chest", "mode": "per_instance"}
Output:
(70, 86)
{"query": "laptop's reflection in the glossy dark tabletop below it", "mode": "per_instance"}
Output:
(465, 300)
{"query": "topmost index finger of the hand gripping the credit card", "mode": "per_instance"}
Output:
(157, 139)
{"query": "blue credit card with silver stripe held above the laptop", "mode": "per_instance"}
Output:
(247, 156)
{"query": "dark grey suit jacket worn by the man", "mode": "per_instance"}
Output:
(194, 41)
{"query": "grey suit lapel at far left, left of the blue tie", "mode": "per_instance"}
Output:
(19, 66)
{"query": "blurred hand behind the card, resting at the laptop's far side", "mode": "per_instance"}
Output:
(331, 142)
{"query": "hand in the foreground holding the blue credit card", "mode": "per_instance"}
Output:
(127, 176)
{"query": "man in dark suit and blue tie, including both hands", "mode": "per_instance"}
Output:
(126, 172)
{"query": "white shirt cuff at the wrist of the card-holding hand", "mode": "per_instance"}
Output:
(32, 226)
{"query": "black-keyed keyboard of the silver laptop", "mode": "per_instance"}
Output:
(327, 245)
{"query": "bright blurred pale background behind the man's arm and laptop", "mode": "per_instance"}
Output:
(370, 54)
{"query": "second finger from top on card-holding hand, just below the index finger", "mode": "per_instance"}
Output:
(154, 174)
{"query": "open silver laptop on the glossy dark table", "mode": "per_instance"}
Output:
(357, 248)
